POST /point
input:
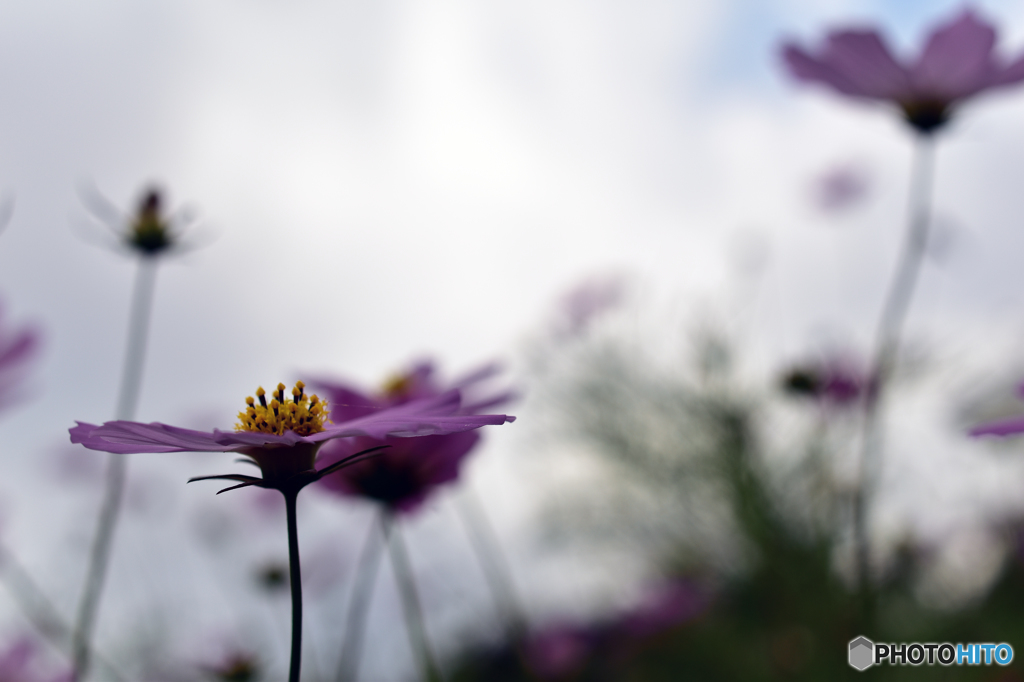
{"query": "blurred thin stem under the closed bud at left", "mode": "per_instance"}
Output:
(132, 379)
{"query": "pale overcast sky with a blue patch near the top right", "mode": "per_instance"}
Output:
(382, 181)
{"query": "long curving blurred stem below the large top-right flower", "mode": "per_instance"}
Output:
(887, 347)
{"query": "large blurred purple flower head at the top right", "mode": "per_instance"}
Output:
(958, 63)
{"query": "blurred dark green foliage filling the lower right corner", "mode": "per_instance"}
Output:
(787, 614)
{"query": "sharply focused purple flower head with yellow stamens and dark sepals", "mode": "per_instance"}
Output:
(283, 438)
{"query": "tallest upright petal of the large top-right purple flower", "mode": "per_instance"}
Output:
(958, 61)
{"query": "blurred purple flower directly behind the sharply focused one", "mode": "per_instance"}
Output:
(403, 477)
